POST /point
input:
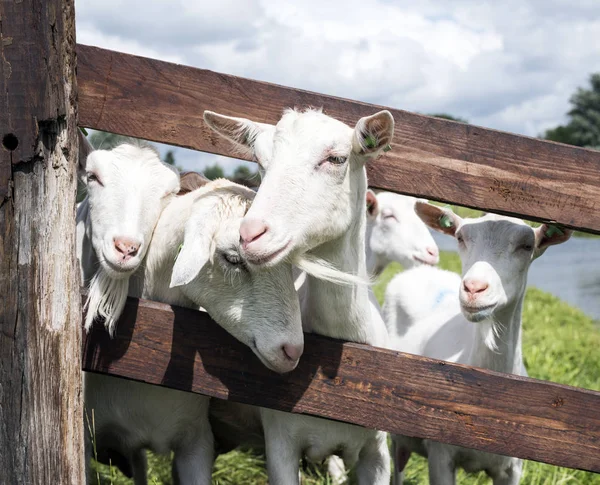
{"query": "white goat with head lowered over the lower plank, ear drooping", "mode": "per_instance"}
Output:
(194, 260)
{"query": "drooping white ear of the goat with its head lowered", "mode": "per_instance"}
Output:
(195, 251)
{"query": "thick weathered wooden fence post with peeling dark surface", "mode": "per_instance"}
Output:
(41, 426)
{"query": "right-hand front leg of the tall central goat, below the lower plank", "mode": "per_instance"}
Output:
(373, 467)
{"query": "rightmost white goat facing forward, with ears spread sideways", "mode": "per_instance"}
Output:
(482, 328)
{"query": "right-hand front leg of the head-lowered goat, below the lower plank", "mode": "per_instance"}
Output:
(193, 463)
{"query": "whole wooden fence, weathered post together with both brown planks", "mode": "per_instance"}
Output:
(184, 349)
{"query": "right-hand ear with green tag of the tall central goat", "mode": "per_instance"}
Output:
(373, 134)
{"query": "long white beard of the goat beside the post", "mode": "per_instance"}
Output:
(106, 299)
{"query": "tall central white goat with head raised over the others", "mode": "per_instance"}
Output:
(312, 202)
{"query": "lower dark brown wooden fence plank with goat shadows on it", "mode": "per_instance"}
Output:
(355, 383)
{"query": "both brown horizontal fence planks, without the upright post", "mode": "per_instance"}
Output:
(382, 389)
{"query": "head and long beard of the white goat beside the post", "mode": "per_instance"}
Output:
(127, 188)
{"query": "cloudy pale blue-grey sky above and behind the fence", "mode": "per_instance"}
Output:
(510, 65)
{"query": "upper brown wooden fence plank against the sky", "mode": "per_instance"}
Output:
(433, 158)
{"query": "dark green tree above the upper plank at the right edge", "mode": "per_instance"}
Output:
(583, 128)
